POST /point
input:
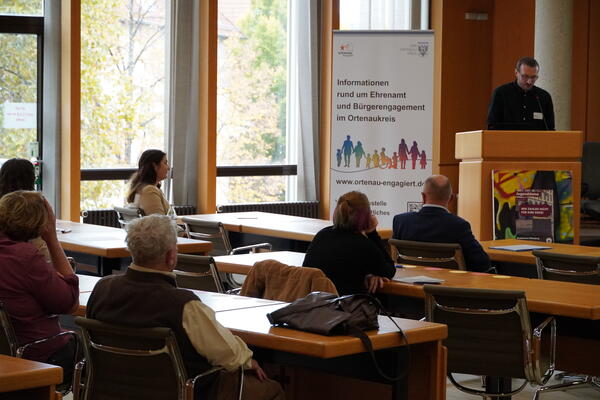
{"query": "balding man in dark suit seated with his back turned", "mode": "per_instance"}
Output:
(434, 223)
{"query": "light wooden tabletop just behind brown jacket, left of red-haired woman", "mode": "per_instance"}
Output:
(241, 263)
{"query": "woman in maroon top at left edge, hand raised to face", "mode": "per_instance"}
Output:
(32, 290)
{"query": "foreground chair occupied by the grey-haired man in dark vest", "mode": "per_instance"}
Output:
(133, 363)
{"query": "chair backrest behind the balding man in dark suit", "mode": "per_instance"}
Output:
(444, 255)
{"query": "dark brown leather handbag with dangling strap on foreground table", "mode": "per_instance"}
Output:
(326, 314)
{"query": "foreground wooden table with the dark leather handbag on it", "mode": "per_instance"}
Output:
(348, 370)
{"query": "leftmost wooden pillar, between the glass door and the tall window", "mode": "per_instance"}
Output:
(70, 109)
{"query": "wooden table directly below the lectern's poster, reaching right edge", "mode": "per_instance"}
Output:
(525, 257)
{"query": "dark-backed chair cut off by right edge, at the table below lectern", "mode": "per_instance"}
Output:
(569, 268)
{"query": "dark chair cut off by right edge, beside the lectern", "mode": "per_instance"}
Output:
(590, 165)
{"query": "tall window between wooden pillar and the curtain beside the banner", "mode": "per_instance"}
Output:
(252, 100)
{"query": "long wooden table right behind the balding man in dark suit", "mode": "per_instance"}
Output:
(569, 302)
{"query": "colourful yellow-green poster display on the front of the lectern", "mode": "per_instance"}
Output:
(533, 205)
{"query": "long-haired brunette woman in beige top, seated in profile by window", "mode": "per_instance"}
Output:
(144, 187)
